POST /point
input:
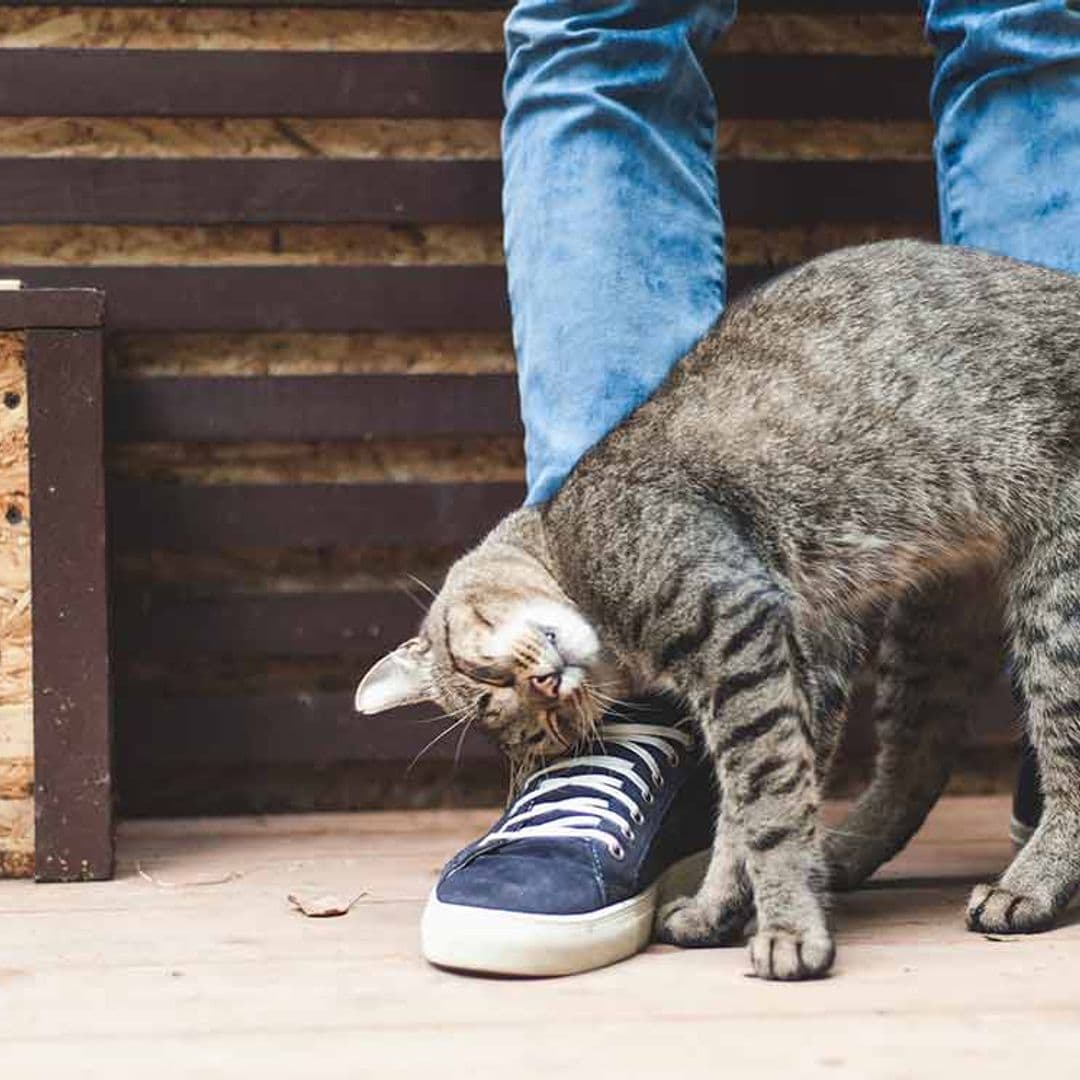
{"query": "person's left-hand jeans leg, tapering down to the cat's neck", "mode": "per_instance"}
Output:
(615, 245)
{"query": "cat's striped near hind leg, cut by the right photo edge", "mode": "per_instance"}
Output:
(1045, 599)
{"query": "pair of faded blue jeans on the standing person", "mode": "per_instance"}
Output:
(615, 241)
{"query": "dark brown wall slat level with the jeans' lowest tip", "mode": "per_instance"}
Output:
(304, 516)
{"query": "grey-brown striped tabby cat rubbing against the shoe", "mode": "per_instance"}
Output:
(887, 436)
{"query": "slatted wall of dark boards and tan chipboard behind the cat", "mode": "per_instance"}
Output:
(295, 213)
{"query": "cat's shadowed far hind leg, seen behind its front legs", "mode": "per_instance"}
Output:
(941, 645)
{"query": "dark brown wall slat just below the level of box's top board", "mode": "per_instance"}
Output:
(320, 409)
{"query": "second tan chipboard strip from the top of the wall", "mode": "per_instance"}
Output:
(422, 140)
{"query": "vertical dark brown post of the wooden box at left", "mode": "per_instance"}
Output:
(72, 688)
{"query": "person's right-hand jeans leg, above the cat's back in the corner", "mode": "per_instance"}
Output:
(1006, 101)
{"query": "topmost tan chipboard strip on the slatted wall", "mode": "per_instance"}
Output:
(314, 30)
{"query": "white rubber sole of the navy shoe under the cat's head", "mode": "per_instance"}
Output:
(517, 943)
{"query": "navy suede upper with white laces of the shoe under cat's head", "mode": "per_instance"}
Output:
(597, 828)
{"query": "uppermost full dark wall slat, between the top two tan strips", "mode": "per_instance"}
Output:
(151, 83)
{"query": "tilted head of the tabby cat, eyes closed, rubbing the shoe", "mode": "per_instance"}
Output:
(503, 646)
